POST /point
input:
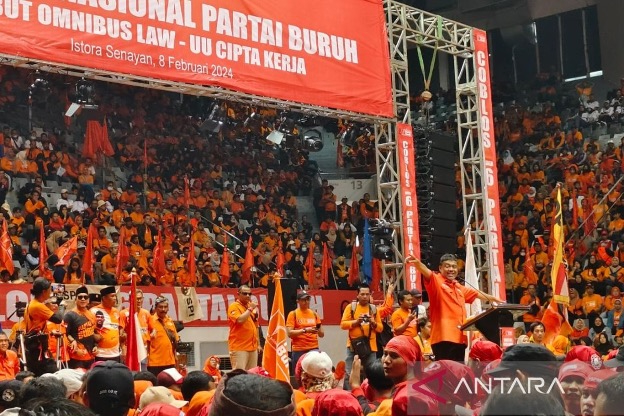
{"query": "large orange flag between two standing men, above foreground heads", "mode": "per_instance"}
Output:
(275, 357)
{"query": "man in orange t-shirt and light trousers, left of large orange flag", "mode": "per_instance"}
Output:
(243, 338)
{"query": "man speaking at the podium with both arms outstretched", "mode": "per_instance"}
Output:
(447, 309)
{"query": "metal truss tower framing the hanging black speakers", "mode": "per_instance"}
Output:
(407, 28)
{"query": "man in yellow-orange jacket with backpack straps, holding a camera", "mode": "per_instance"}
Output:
(362, 321)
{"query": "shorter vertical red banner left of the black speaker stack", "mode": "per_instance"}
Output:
(409, 203)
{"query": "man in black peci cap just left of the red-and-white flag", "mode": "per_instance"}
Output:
(107, 326)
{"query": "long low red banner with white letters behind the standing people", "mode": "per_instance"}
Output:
(329, 304)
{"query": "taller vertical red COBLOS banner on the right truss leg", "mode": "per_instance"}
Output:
(486, 131)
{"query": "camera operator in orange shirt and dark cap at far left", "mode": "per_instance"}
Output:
(39, 311)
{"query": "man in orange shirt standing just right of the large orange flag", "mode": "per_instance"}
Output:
(304, 328)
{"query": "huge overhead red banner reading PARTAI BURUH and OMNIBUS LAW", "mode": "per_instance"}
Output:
(323, 52)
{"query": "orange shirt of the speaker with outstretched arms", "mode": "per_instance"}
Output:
(447, 310)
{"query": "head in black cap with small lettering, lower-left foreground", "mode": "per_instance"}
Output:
(109, 389)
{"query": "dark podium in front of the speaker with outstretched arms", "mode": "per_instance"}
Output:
(490, 321)
